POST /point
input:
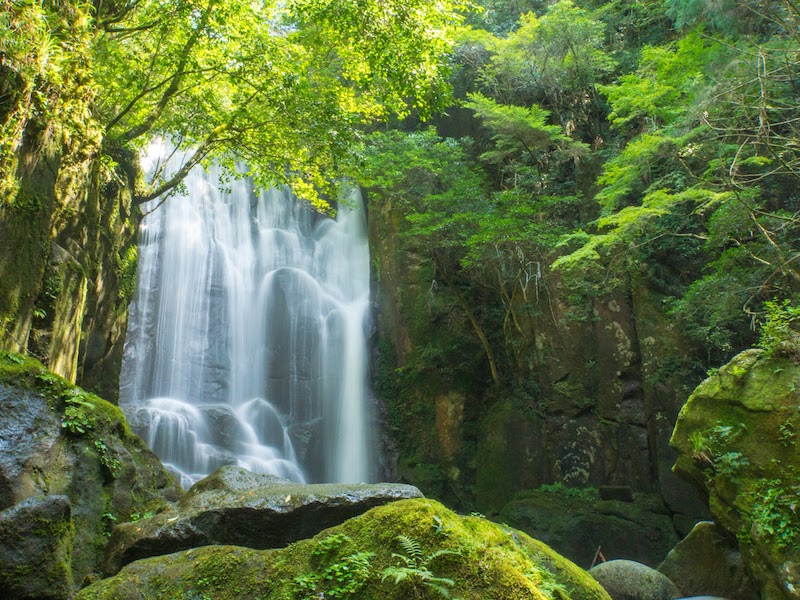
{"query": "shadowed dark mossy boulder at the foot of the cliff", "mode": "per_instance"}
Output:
(576, 522)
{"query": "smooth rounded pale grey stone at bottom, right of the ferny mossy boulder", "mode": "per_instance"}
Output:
(629, 580)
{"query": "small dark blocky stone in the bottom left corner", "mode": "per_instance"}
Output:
(36, 538)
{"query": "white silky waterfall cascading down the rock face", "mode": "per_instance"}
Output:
(247, 335)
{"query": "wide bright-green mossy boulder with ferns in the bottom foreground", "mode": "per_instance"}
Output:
(469, 556)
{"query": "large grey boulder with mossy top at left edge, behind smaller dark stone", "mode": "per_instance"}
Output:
(58, 440)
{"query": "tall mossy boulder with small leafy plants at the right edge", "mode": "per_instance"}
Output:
(738, 438)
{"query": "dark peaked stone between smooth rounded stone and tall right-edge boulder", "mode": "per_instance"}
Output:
(708, 562)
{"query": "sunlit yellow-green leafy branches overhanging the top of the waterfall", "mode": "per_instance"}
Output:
(282, 86)
